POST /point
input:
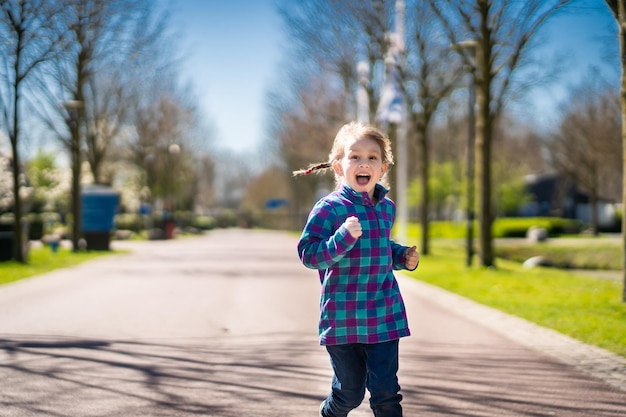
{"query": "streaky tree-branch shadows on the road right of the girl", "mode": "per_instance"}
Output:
(457, 379)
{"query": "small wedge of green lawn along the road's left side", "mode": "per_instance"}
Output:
(42, 260)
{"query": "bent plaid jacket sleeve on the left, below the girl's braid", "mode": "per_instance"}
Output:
(322, 244)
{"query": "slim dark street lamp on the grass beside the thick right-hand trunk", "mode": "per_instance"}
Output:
(470, 46)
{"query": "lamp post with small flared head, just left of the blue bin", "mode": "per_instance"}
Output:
(73, 108)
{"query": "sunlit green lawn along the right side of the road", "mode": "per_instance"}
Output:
(584, 307)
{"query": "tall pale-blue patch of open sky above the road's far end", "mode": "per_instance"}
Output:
(233, 49)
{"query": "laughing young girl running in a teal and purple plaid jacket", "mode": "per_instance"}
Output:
(347, 239)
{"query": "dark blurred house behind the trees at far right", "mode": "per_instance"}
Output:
(557, 196)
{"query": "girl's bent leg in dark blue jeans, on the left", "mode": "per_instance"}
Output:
(350, 374)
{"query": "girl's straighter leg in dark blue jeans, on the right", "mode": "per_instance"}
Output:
(382, 379)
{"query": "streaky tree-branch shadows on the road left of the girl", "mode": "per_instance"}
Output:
(227, 376)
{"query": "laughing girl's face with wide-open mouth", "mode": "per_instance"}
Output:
(361, 166)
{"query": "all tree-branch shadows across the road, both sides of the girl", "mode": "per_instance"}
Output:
(270, 375)
